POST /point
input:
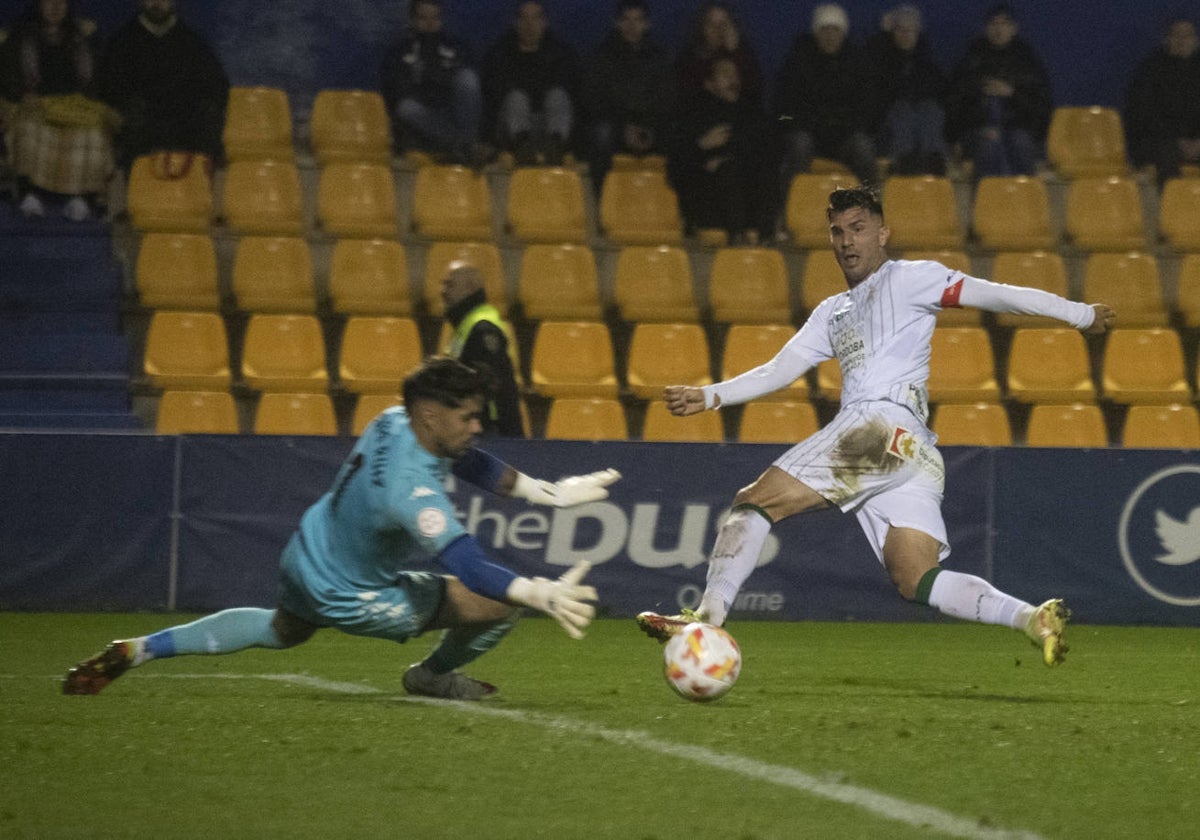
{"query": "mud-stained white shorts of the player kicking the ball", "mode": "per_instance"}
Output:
(877, 459)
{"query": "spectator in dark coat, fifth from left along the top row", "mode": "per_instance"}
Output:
(629, 91)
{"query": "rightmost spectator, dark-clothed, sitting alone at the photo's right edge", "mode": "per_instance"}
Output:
(1162, 111)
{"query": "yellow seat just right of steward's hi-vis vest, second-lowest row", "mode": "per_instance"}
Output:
(573, 359)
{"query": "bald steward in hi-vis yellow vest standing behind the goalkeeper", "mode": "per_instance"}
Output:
(483, 340)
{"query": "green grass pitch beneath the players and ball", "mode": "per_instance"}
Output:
(833, 731)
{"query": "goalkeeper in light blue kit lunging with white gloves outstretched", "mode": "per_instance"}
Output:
(388, 506)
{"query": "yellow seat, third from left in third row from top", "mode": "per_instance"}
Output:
(370, 277)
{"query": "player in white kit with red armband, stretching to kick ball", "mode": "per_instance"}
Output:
(878, 457)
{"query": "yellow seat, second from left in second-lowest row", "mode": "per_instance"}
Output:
(285, 353)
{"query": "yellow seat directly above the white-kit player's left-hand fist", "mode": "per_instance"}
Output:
(667, 355)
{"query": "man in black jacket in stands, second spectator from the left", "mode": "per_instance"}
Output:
(167, 83)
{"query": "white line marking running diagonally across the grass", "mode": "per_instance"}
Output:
(880, 805)
